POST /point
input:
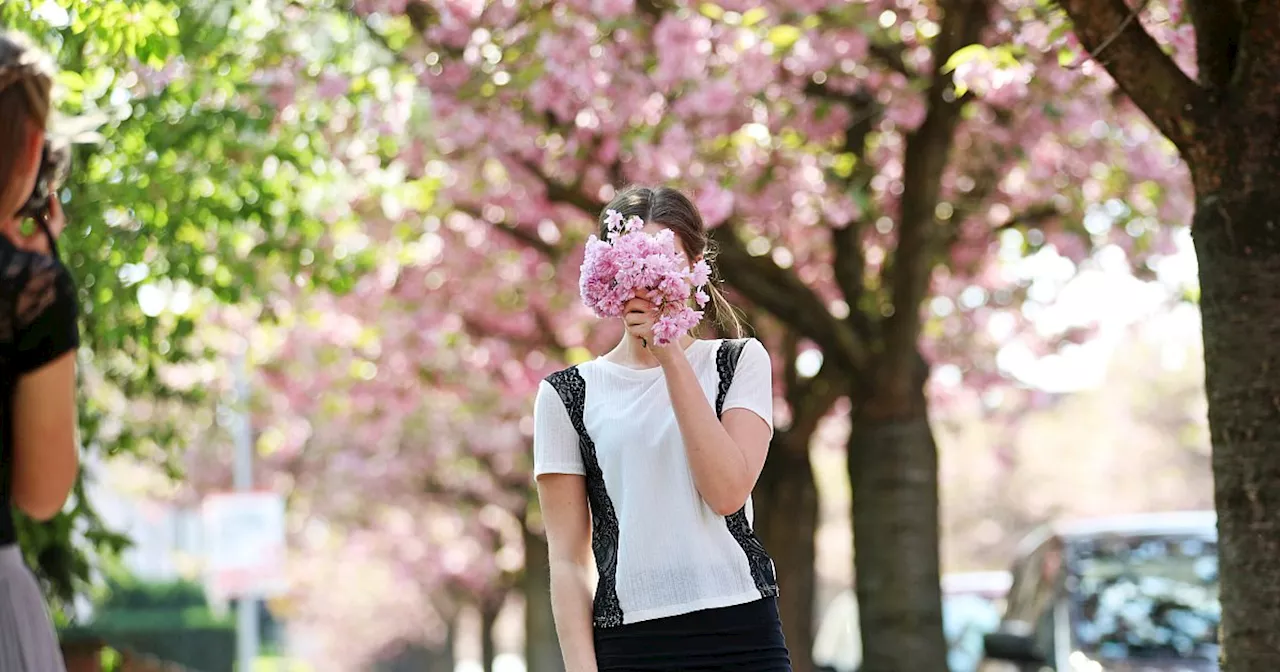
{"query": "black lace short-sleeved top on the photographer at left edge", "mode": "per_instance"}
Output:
(38, 324)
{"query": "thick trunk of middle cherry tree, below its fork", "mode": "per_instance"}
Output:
(894, 473)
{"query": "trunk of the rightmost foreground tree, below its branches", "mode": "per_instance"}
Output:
(1238, 246)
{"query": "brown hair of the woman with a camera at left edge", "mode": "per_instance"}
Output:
(26, 80)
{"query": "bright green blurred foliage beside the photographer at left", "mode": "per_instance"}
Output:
(195, 198)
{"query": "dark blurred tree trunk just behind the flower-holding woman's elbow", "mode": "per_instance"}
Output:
(787, 519)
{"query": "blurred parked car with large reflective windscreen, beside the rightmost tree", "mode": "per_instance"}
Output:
(1118, 595)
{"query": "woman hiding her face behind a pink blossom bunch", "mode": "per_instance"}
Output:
(647, 458)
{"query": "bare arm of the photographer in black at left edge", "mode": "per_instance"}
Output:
(44, 433)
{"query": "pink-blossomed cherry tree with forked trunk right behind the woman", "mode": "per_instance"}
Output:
(854, 158)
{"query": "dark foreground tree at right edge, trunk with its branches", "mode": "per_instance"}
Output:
(1205, 74)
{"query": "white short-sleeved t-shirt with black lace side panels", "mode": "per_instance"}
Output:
(660, 548)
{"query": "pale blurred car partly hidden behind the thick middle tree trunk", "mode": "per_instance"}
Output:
(971, 607)
